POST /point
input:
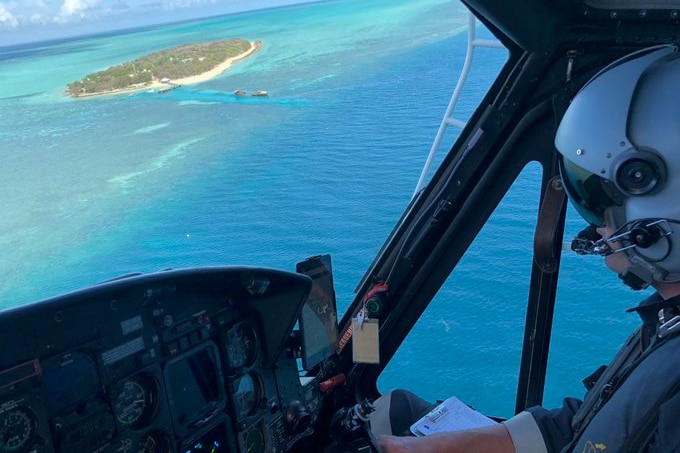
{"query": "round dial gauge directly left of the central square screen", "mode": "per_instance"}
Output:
(135, 401)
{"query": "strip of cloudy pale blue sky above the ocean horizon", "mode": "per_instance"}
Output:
(38, 20)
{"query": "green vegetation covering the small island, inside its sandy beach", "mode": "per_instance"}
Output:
(172, 64)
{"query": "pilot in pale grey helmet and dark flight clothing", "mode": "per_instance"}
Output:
(619, 144)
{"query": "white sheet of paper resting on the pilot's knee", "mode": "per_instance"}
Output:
(451, 415)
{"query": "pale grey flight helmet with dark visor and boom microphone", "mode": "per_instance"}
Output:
(620, 145)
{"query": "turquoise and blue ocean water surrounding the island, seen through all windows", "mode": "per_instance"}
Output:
(100, 187)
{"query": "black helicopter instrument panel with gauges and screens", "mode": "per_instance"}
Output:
(179, 361)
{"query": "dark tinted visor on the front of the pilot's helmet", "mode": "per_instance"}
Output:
(589, 193)
